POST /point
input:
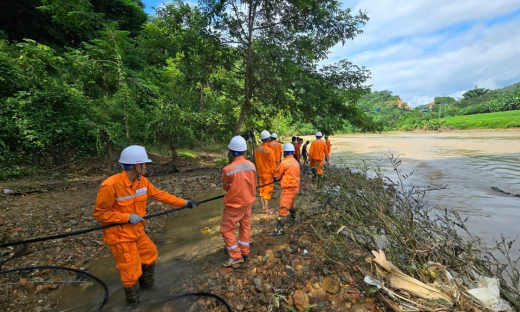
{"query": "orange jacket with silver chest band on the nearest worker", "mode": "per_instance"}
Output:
(118, 198)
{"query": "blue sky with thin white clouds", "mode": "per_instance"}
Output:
(421, 49)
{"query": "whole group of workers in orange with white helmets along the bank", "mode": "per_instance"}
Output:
(122, 199)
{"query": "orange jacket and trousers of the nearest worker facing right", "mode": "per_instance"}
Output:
(116, 200)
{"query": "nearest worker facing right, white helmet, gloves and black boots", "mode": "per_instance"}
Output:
(122, 199)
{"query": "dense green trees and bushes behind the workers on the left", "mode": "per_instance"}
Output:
(78, 78)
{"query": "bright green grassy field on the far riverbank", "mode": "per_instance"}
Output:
(510, 119)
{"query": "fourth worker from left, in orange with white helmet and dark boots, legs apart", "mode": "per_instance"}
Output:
(289, 174)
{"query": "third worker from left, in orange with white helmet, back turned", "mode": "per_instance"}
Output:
(266, 168)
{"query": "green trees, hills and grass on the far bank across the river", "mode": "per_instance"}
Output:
(390, 111)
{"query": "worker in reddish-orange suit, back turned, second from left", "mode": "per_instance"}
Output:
(239, 181)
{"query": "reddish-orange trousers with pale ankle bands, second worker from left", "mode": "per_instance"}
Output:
(230, 218)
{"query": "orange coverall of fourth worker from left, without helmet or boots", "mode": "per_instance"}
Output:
(289, 173)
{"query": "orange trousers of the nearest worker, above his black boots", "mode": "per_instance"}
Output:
(130, 256)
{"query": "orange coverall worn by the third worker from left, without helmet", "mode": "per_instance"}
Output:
(266, 168)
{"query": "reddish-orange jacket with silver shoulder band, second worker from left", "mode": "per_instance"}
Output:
(239, 181)
